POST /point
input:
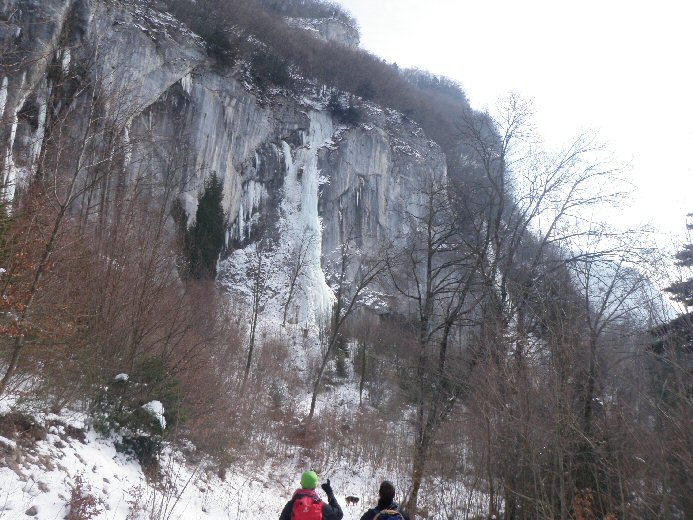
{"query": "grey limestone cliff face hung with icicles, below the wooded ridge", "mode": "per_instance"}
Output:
(177, 112)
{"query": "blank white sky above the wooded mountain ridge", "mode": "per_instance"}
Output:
(622, 68)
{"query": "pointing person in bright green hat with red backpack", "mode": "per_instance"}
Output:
(305, 504)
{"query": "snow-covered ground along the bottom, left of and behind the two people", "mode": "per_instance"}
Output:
(42, 477)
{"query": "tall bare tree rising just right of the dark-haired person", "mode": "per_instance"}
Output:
(434, 271)
